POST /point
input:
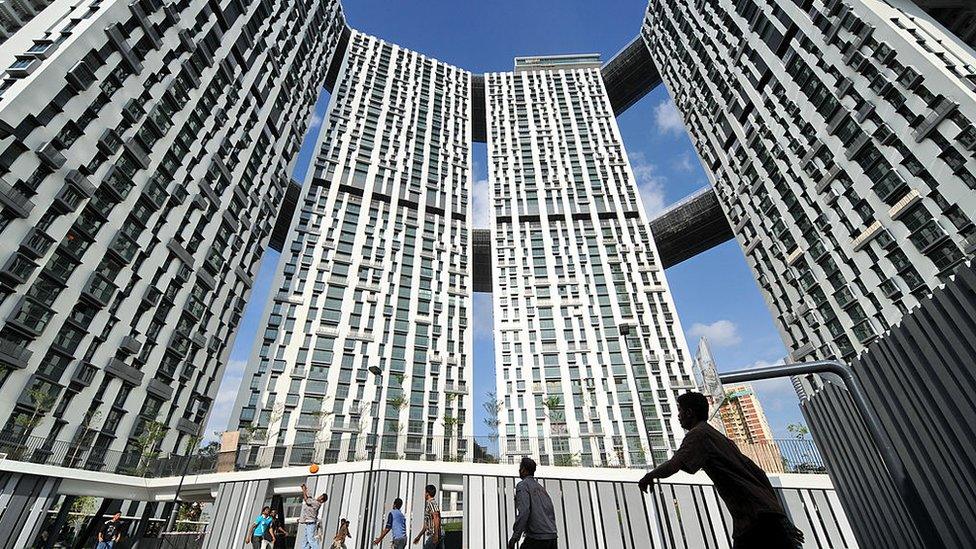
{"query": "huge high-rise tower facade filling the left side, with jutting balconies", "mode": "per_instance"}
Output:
(145, 148)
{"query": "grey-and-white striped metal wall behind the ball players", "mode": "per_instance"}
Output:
(591, 514)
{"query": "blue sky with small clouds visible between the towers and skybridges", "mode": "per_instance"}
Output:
(715, 293)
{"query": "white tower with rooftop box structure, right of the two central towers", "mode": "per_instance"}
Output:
(588, 349)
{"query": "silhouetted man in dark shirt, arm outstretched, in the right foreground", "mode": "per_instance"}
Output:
(758, 519)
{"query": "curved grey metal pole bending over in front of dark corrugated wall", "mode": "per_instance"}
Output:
(889, 457)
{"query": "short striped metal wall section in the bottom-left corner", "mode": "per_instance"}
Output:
(24, 501)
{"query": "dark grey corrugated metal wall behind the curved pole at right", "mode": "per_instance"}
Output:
(920, 378)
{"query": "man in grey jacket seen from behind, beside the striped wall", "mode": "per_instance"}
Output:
(535, 516)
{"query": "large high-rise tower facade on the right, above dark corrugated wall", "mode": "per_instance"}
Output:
(839, 137)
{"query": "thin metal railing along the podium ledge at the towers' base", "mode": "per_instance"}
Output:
(777, 456)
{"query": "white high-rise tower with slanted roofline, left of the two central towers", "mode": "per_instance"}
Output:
(375, 274)
